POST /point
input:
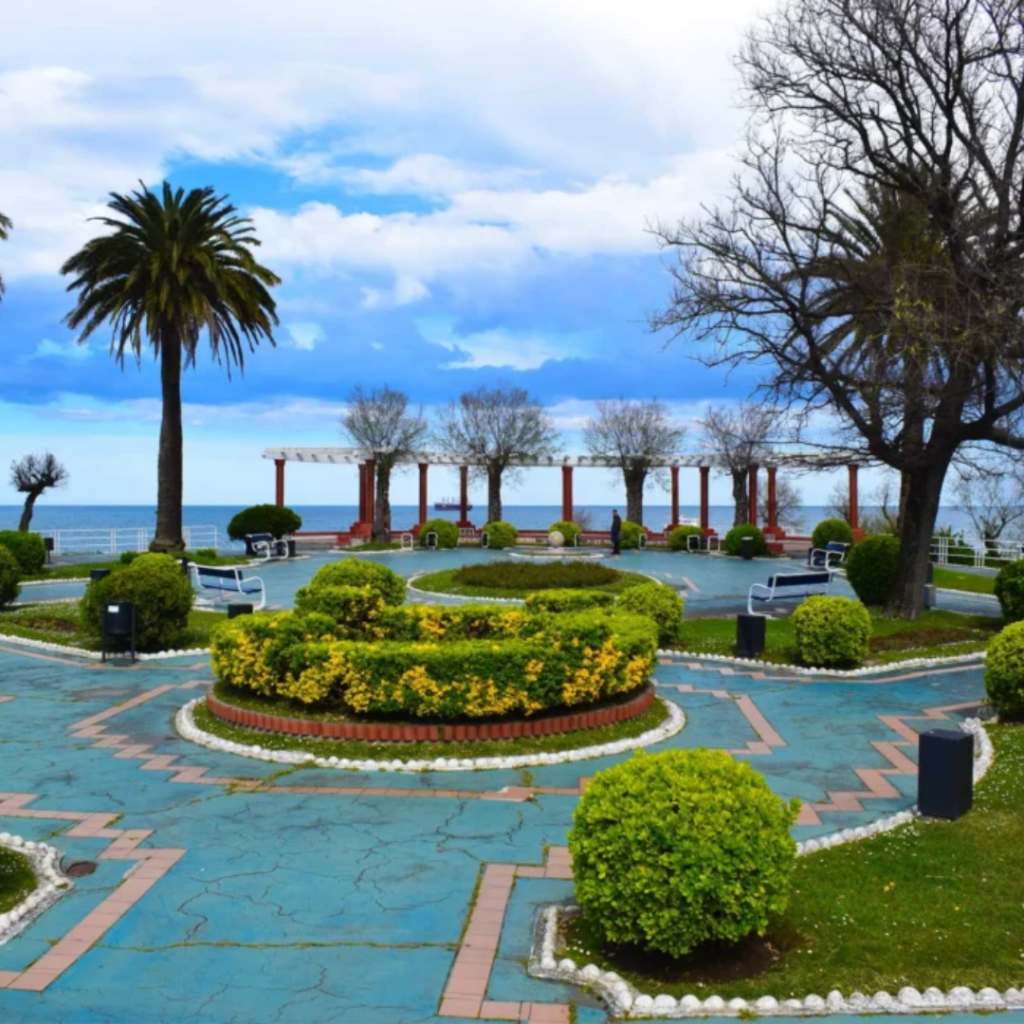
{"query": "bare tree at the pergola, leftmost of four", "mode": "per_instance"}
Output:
(381, 423)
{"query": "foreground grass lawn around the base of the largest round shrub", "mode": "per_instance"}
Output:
(933, 904)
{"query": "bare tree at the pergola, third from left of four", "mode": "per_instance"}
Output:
(634, 436)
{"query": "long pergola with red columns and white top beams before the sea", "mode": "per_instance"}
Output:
(367, 463)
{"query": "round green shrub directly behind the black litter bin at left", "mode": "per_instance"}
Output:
(161, 592)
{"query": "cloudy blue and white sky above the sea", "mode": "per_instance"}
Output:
(455, 194)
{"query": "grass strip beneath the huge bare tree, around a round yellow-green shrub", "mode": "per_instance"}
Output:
(934, 635)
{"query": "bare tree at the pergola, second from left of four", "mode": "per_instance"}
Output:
(497, 429)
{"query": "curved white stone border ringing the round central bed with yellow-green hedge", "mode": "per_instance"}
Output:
(186, 723)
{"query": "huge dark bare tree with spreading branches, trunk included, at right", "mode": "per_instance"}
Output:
(871, 252)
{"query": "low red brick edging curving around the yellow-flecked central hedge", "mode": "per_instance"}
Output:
(383, 733)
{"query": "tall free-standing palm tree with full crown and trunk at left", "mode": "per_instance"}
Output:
(173, 268)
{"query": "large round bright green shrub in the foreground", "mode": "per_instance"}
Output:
(677, 849)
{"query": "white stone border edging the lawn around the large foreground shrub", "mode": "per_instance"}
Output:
(625, 1001)
